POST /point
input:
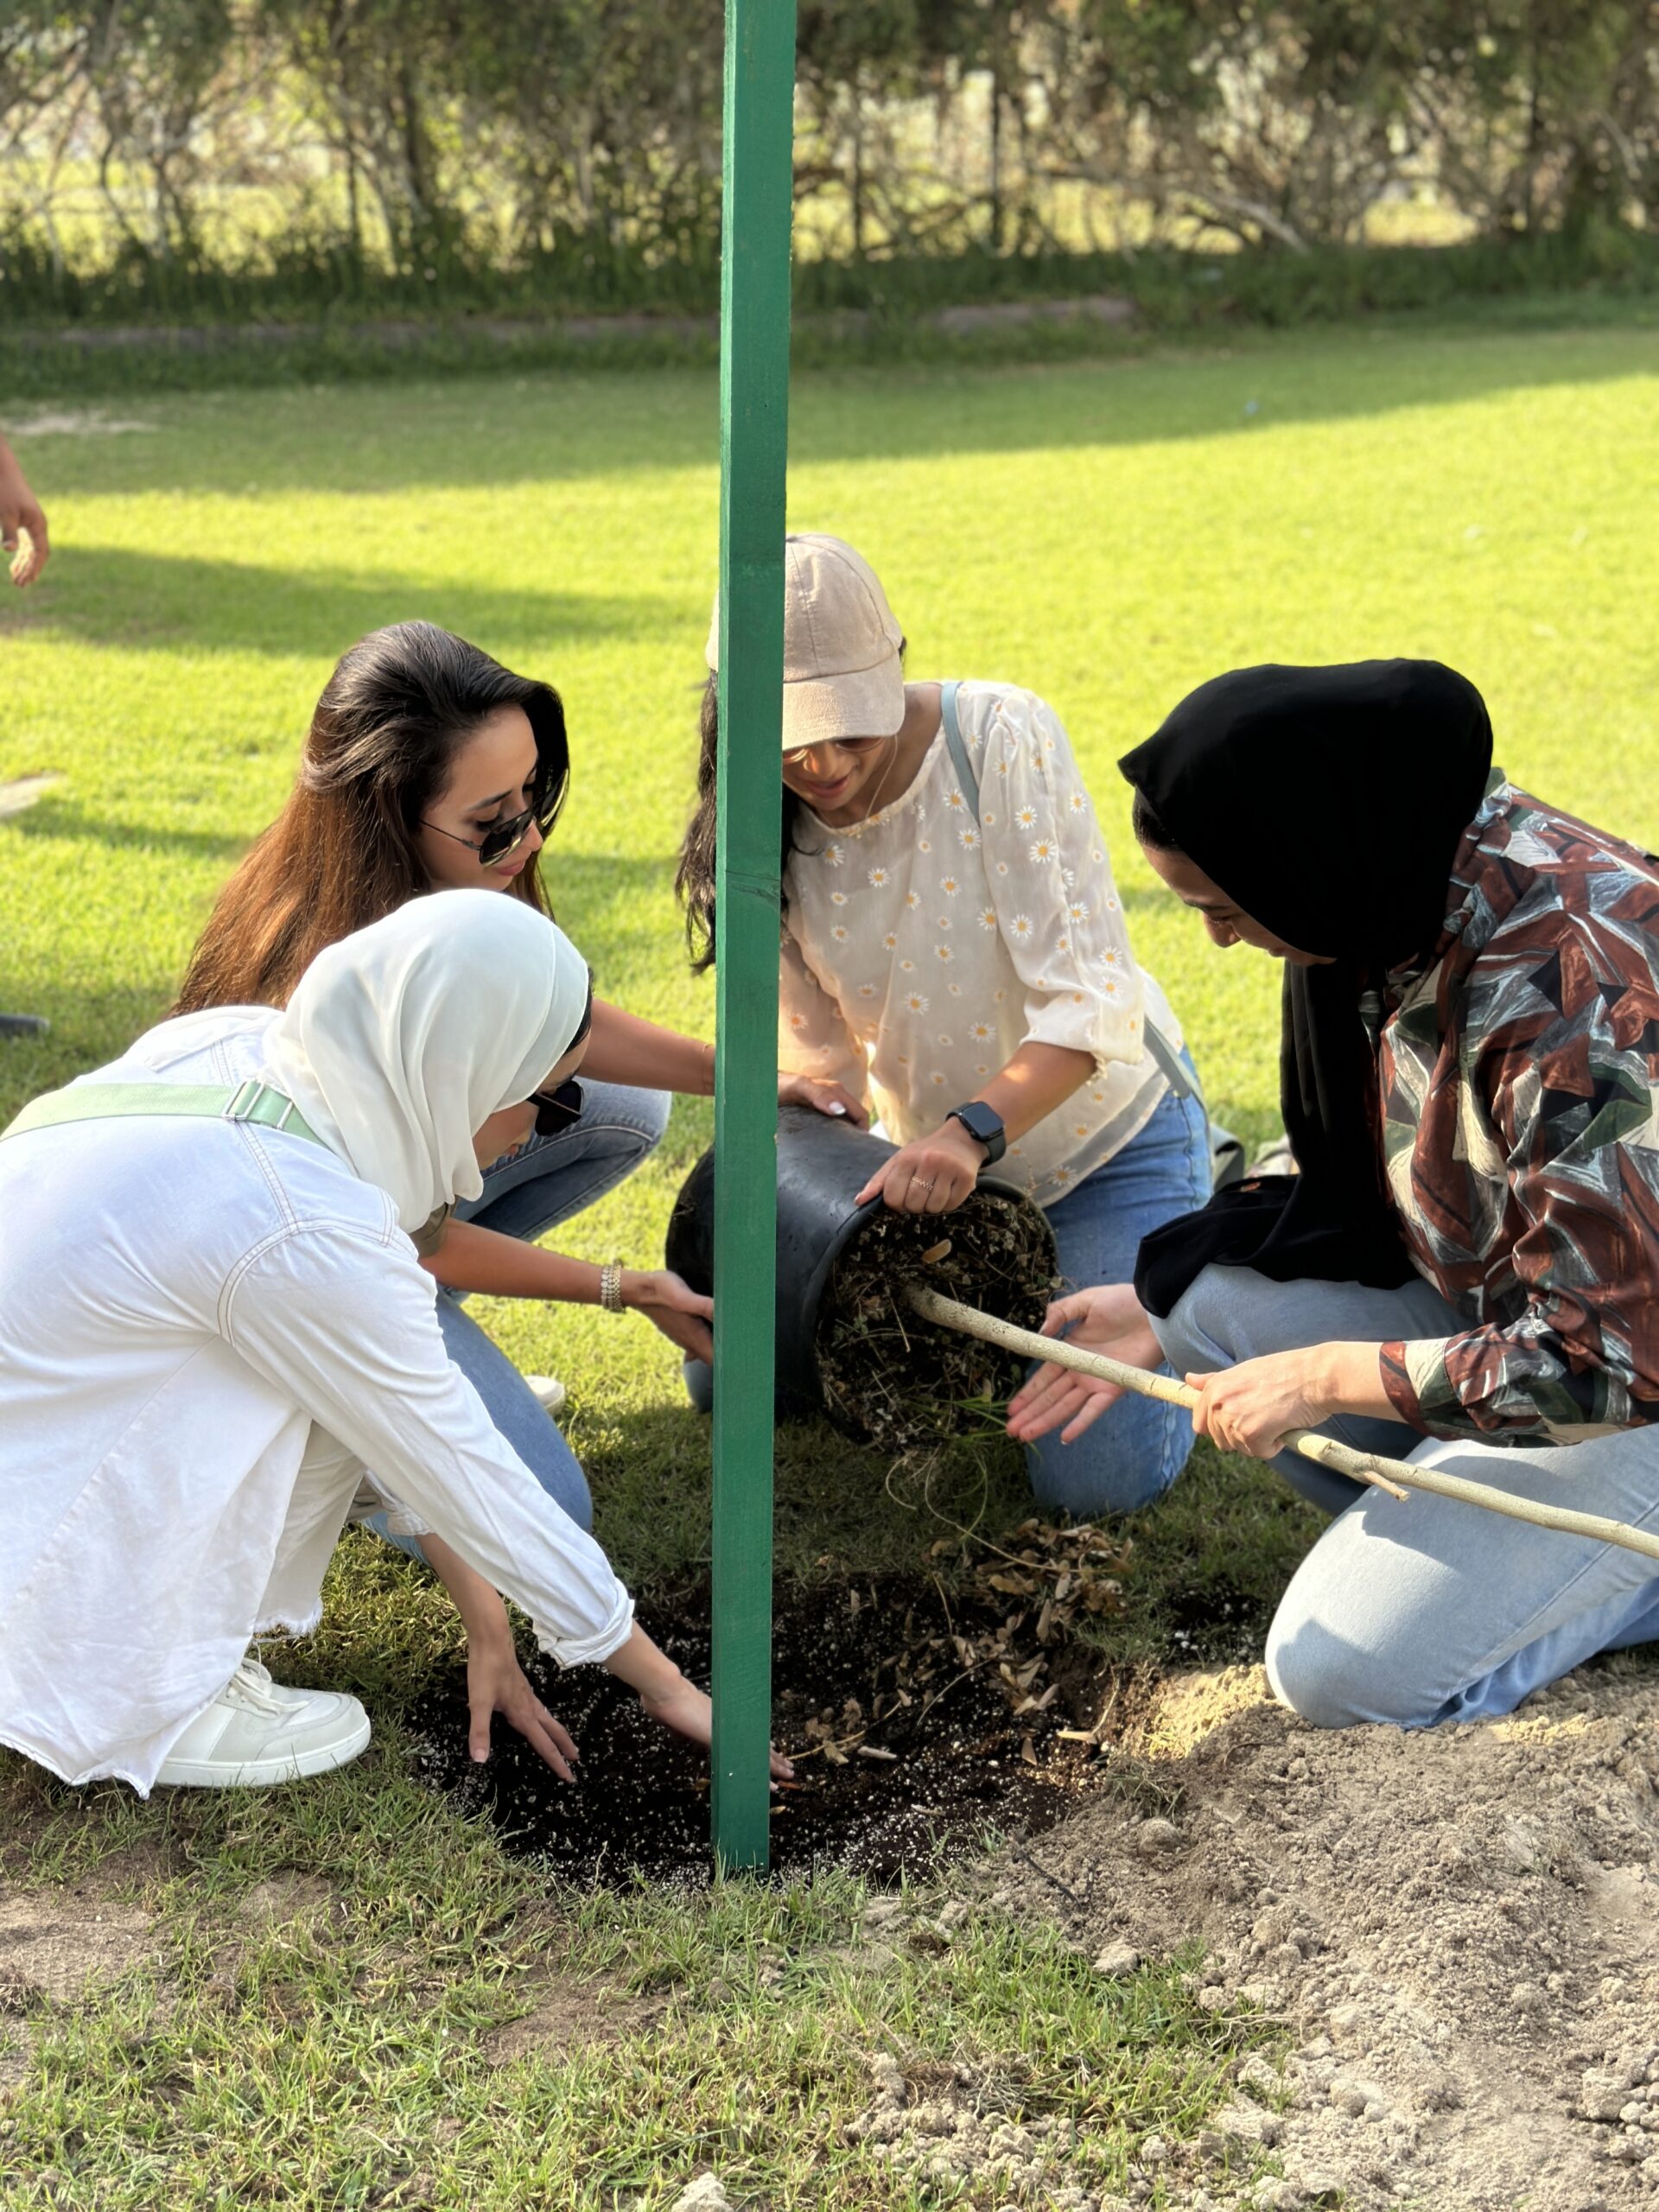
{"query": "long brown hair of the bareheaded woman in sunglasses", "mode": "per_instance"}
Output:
(344, 851)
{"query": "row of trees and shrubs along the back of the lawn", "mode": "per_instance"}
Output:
(574, 147)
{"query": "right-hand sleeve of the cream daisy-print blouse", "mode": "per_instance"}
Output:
(1052, 884)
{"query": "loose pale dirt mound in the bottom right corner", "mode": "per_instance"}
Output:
(1461, 1928)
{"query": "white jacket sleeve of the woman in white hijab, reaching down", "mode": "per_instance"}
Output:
(344, 1324)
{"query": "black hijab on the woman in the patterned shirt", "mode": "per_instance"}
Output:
(1328, 804)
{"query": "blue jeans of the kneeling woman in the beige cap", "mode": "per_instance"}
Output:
(1131, 1454)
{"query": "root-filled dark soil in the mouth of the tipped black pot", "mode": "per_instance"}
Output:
(901, 1381)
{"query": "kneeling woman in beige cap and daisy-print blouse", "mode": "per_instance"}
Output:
(954, 954)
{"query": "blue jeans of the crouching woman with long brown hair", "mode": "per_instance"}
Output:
(543, 1185)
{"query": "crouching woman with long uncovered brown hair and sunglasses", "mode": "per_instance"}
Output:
(430, 766)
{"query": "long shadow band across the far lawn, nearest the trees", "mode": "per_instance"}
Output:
(486, 430)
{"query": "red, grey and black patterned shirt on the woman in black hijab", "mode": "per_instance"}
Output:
(1521, 1131)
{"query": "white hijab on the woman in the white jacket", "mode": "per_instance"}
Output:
(404, 1039)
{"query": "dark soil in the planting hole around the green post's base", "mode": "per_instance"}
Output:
(884, 1667)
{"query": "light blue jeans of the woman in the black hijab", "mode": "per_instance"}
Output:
(1430, 1611)
